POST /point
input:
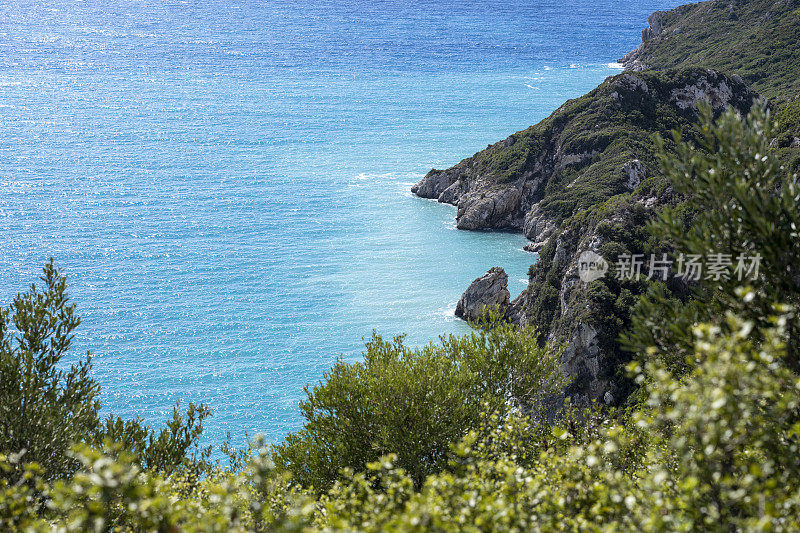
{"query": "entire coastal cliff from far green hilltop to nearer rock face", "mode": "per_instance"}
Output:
(587, 177)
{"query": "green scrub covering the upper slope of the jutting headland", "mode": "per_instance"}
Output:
(580, 151)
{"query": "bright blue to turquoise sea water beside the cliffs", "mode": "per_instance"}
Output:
(226, 182)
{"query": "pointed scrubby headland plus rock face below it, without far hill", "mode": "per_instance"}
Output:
(585, 178)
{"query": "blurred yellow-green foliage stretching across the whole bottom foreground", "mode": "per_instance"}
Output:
(713, 450)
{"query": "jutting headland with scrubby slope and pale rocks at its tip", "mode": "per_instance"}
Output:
(588, 150)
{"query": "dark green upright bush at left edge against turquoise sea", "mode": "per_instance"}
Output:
(46, 405)
